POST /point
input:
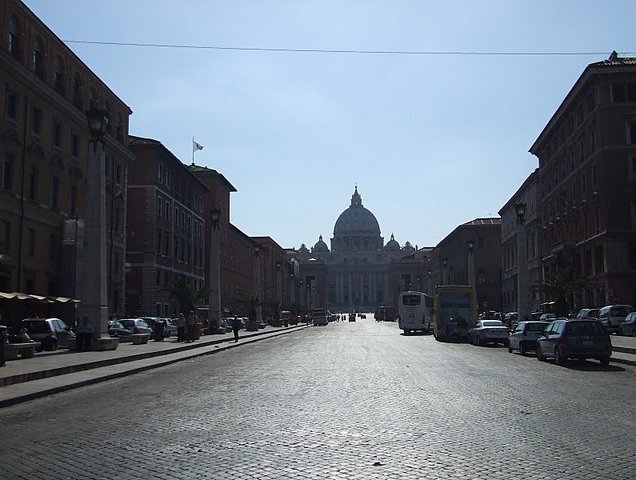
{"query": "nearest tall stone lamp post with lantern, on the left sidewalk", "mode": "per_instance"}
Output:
(95, 267)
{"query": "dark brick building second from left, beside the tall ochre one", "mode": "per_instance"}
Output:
(166, 229)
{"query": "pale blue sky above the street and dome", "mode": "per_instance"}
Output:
(292, 109)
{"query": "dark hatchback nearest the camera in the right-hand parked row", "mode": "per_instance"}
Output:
(578, 338)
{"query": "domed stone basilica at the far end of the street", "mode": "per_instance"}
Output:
(359, 272)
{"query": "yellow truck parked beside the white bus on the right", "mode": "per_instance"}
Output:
(455, 312)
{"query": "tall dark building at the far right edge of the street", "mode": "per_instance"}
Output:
(587, 183)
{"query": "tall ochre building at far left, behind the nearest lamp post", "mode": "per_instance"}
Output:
(46, 91)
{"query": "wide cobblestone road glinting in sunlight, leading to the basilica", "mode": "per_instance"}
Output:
(345, 401)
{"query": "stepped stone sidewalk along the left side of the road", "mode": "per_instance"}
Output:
(53, 372)
